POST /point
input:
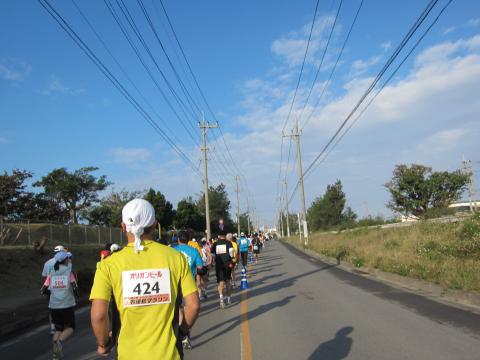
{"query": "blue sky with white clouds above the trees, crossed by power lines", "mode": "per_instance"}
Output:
(58, 110)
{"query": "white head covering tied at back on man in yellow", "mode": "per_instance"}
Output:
(137, 215)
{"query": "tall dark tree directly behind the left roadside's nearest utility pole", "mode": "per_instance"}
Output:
(219, 207)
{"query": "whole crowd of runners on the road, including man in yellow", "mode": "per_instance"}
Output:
(146, 295)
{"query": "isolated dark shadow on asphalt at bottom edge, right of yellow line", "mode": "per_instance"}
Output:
(335, 349)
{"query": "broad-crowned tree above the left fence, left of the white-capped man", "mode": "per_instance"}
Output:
(76, 191)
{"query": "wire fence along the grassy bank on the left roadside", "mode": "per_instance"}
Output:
(25, 232)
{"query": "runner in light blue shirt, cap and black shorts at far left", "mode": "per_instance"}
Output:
(61, 284)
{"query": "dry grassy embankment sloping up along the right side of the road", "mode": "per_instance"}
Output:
(444, 253)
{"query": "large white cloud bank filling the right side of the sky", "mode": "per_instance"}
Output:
(428, 115)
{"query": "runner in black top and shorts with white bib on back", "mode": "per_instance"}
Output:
(223, 251)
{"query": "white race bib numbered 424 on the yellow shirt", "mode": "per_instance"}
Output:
(146, 287)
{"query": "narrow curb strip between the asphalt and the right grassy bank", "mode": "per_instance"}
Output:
(466, 300)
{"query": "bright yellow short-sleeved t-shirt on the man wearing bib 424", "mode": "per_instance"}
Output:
(147, 331)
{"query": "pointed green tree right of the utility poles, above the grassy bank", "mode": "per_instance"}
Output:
(329, 210)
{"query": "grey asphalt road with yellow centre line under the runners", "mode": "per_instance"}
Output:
(298, 307)
